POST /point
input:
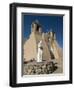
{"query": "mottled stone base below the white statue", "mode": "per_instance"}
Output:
(36, 68)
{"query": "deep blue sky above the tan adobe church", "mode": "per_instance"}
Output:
(48, 22)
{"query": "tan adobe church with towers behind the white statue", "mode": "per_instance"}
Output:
(50, 48)
